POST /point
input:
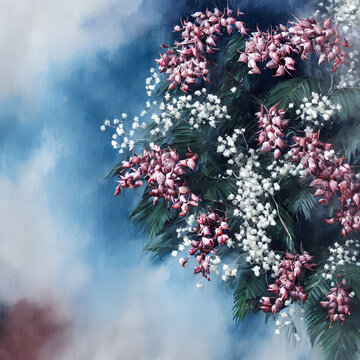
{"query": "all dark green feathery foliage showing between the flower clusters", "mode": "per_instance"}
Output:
(295, 203)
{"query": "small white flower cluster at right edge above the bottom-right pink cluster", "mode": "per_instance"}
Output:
(341, 255)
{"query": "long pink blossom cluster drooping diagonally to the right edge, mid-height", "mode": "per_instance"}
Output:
(331, 175)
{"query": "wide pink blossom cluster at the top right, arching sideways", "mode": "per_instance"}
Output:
(277, 47)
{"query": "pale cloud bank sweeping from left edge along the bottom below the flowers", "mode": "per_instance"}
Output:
(127, 312)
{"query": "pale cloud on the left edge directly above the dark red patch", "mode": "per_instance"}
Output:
(40, 254)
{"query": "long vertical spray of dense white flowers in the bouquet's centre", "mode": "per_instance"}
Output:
(251, 205)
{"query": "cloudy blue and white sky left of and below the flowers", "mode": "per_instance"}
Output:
(64, 68)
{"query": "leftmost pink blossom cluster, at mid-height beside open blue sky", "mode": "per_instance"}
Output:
(163, 171)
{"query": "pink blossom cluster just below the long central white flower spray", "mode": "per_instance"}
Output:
(287, 286)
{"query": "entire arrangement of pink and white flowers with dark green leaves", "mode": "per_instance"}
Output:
(233, 166)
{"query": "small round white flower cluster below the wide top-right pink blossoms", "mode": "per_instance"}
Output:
(318, 110)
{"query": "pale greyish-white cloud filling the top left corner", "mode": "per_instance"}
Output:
(37, 33)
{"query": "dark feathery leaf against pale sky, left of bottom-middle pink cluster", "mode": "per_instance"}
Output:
(247, 294)
